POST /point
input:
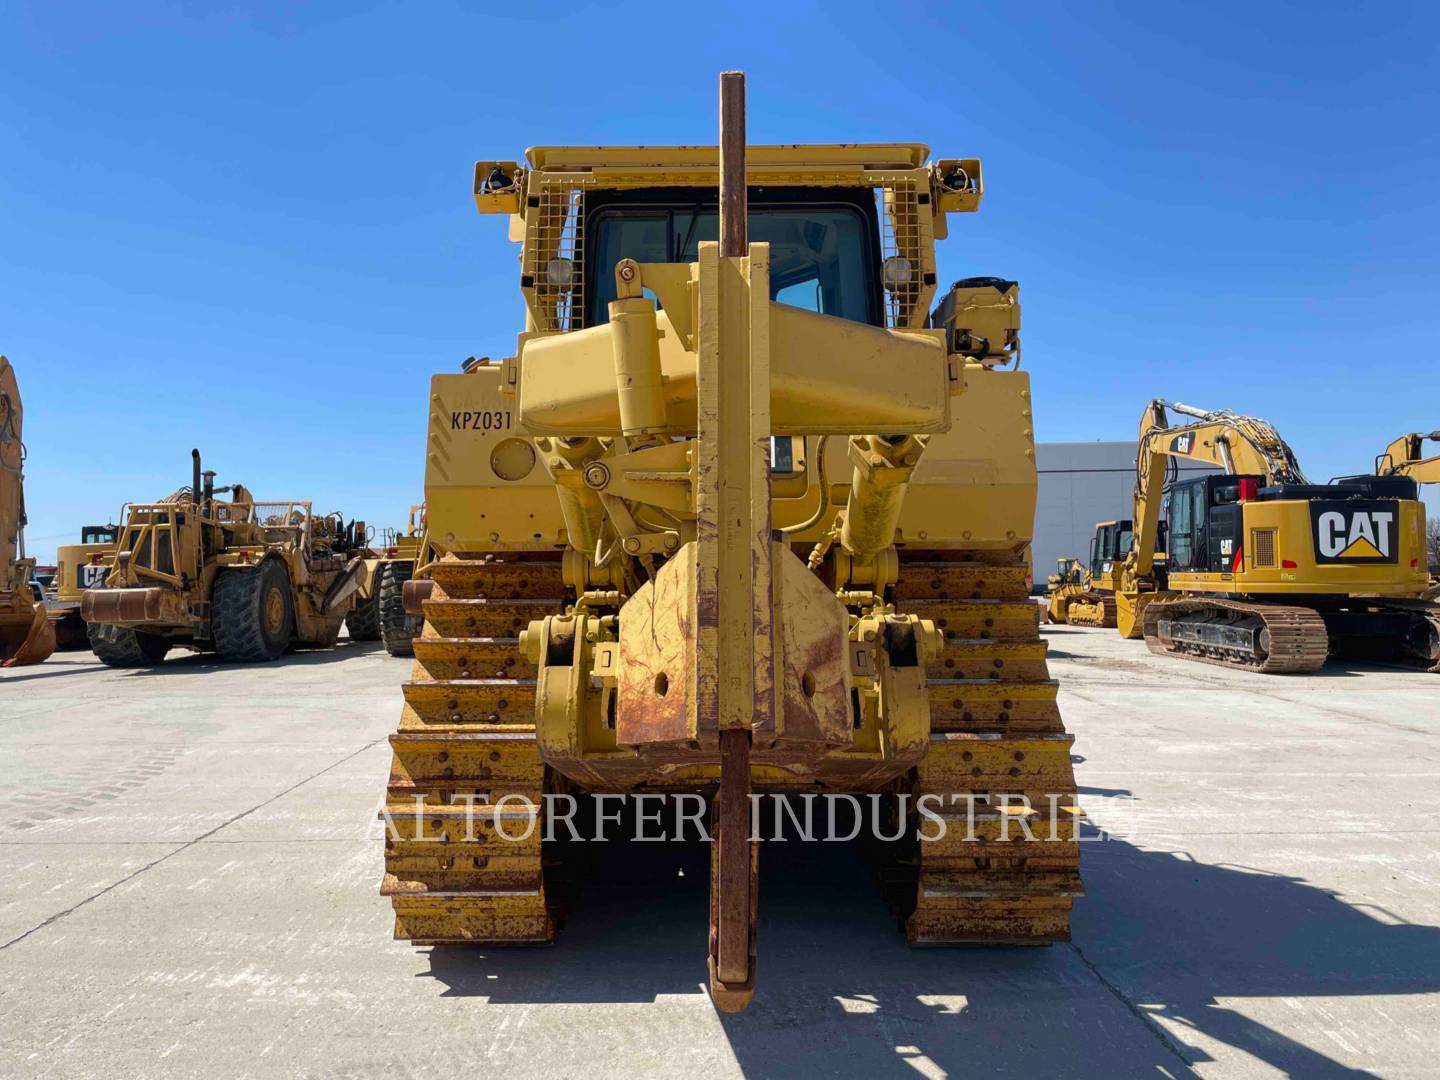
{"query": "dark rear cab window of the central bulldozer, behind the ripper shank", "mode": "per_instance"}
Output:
(822, 254)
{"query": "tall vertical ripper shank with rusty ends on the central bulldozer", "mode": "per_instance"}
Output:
(737, 686)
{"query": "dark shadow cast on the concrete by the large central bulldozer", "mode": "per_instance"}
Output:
(840, 993)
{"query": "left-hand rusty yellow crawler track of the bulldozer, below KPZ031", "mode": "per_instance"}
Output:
(454, 868)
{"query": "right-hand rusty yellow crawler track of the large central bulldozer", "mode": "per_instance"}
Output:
(996, 731)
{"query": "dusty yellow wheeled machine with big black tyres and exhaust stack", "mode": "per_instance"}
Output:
(243, 578)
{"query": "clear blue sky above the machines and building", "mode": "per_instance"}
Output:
(248, 228)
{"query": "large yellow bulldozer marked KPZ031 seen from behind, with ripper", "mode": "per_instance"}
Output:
(748, 512)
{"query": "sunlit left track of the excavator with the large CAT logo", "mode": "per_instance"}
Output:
(1269, 639)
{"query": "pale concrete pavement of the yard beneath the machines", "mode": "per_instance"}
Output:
(189, 863)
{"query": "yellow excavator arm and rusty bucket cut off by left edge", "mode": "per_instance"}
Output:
(27, 634)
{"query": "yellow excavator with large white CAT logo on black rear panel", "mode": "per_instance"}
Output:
(1269, 572)
